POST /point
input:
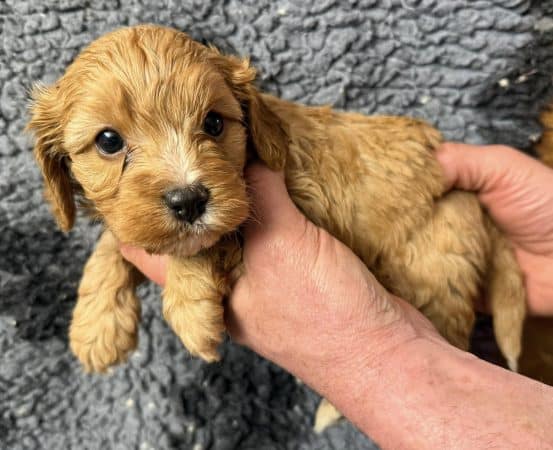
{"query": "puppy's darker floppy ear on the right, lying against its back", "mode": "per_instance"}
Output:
(266, 132)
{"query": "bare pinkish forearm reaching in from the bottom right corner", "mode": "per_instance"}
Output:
(428, 394)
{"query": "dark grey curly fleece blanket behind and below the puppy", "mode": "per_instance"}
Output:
(478, 70)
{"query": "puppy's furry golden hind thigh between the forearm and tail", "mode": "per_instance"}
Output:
(440, 269)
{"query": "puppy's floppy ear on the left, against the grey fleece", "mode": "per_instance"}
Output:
(46, 118)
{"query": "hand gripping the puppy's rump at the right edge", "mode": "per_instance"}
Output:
(517, 191)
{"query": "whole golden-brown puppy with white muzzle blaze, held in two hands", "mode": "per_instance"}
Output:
(152, 131)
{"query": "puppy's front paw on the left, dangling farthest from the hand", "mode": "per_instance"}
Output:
(102, 339)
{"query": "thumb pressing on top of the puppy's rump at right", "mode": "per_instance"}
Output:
(474, 167)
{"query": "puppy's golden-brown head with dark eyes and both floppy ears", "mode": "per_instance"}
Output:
(155, 129)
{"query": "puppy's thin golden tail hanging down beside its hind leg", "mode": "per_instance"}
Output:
(507, 297)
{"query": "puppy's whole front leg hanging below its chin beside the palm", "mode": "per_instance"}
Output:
(193, 303)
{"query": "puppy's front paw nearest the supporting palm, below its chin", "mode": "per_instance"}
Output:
(199, 324)
